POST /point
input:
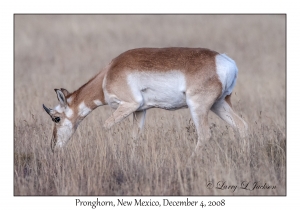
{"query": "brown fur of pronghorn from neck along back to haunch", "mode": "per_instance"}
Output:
(196, 63)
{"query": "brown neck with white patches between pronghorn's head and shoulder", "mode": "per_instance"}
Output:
(87, 97)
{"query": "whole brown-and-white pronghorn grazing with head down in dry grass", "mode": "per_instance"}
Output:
(140, 79)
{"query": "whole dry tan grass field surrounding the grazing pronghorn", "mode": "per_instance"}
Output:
(65, 51)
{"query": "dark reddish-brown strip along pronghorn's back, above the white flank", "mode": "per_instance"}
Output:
(164, 59)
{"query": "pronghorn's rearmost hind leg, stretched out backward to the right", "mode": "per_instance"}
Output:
(223, 109)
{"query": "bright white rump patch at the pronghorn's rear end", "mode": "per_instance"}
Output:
(227, 71)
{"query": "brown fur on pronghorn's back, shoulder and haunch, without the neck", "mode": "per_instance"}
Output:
(197, 64)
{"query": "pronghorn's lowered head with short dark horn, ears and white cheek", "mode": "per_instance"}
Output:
(63, 117)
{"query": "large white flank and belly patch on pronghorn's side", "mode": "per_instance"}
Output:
(161, 90)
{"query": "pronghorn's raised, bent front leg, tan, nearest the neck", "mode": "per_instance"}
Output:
(124, 109)
